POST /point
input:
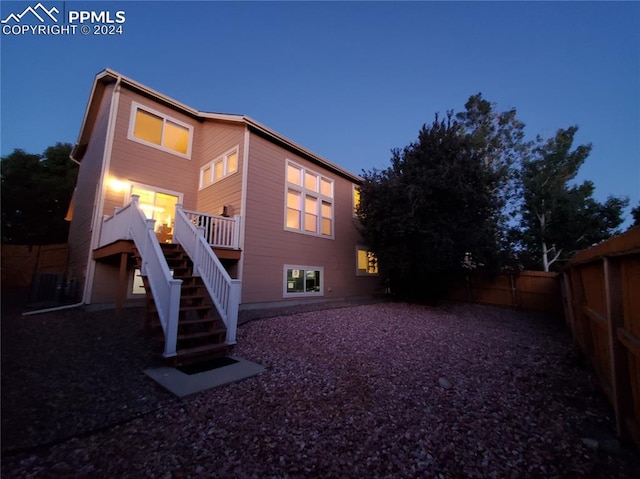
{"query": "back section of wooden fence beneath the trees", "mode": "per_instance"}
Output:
(529, 290)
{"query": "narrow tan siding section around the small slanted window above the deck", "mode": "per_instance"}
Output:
(217, 139)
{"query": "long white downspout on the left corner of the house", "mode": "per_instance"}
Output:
(97, 215)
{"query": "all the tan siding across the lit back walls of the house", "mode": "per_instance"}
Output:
(268, 247)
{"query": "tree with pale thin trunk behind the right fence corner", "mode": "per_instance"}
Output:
(558, 217)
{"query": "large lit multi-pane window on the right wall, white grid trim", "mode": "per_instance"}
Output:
(308, 202)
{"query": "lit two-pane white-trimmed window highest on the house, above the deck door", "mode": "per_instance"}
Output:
(155, 129)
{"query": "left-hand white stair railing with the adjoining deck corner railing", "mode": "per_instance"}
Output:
(130, 223)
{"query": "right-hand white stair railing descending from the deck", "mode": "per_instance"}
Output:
(224, 290)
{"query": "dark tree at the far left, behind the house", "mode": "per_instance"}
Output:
(36, 191)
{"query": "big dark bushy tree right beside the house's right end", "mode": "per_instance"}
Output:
(432, 207)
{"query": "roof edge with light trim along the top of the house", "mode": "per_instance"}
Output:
(108, 77)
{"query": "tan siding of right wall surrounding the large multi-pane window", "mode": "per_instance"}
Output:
(268, 247)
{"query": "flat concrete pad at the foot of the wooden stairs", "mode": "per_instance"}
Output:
(182, 384)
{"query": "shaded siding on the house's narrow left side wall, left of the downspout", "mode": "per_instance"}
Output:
(87, 185)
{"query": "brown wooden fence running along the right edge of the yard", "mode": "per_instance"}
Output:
(601, 289)
